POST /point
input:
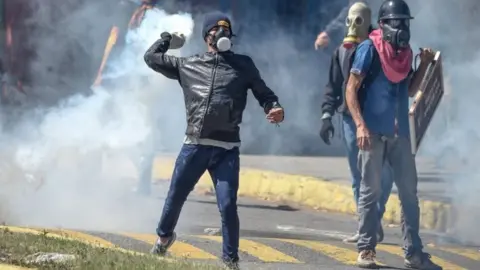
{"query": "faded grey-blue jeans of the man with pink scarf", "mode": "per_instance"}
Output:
(396, 151)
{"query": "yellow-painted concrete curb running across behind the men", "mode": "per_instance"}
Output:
(311, 192)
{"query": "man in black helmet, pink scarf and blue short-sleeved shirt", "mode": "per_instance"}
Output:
(378, 100)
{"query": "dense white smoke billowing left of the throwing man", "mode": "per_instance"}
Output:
(61, 164)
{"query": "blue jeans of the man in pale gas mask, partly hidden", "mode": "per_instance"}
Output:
(350, 140)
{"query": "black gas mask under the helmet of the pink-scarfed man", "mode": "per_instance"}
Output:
(396, 32)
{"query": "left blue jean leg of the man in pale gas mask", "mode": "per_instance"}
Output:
(350, 140)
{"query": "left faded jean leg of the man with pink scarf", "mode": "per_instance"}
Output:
(370, 164)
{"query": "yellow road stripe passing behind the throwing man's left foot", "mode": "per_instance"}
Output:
(178, 249)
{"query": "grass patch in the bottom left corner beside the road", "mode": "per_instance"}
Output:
(15, 247)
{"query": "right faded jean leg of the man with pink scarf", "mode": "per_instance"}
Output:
(405, 176)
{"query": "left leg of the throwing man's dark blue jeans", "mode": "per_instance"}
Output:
(190, 165)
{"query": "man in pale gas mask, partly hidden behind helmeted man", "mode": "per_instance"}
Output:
(358, 28)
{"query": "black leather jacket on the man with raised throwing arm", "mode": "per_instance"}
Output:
(215, 87)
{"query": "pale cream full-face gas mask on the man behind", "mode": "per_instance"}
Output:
(358, 24)
